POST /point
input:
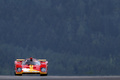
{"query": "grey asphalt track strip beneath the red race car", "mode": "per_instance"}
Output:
(59, 77)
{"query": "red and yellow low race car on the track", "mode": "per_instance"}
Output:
(31, 66)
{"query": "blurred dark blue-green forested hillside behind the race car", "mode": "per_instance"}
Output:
(77, 37)
